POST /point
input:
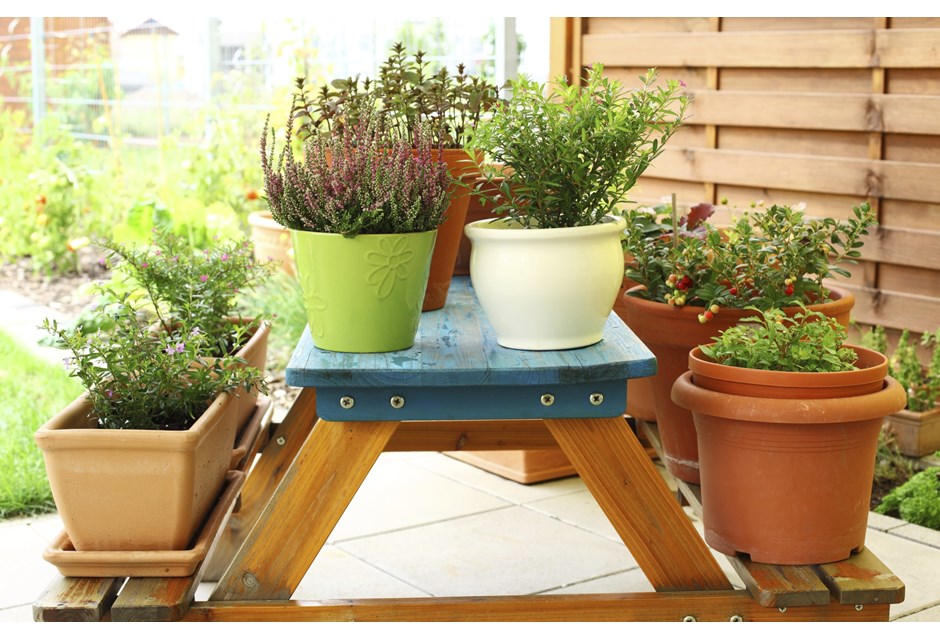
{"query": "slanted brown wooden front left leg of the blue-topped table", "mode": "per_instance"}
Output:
(307, 504)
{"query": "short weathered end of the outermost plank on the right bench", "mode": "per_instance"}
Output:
(862, 579)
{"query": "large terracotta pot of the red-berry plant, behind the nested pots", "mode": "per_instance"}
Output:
(671, 333)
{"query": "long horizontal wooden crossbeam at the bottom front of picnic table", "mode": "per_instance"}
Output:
(713, 606)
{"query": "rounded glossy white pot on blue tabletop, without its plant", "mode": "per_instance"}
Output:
(545, 289)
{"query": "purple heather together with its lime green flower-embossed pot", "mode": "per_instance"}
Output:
(363, 207)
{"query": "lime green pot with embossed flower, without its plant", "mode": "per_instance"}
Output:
(363, 294)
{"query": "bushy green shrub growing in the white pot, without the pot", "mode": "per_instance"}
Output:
(571, 153)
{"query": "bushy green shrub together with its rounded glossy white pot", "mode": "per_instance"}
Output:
(548, 272)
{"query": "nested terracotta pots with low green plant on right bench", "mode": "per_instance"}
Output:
(787, 418)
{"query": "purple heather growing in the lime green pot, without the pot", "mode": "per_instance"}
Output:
(358, 179)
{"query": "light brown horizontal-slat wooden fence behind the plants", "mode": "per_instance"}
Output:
(826, 111)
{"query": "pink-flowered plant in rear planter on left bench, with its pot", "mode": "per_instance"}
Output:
(182, 284)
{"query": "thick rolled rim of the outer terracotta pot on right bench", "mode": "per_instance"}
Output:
(884, 402)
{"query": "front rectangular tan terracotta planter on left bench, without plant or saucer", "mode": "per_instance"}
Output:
(135, 490)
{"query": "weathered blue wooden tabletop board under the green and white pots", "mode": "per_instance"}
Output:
(456, 346)
